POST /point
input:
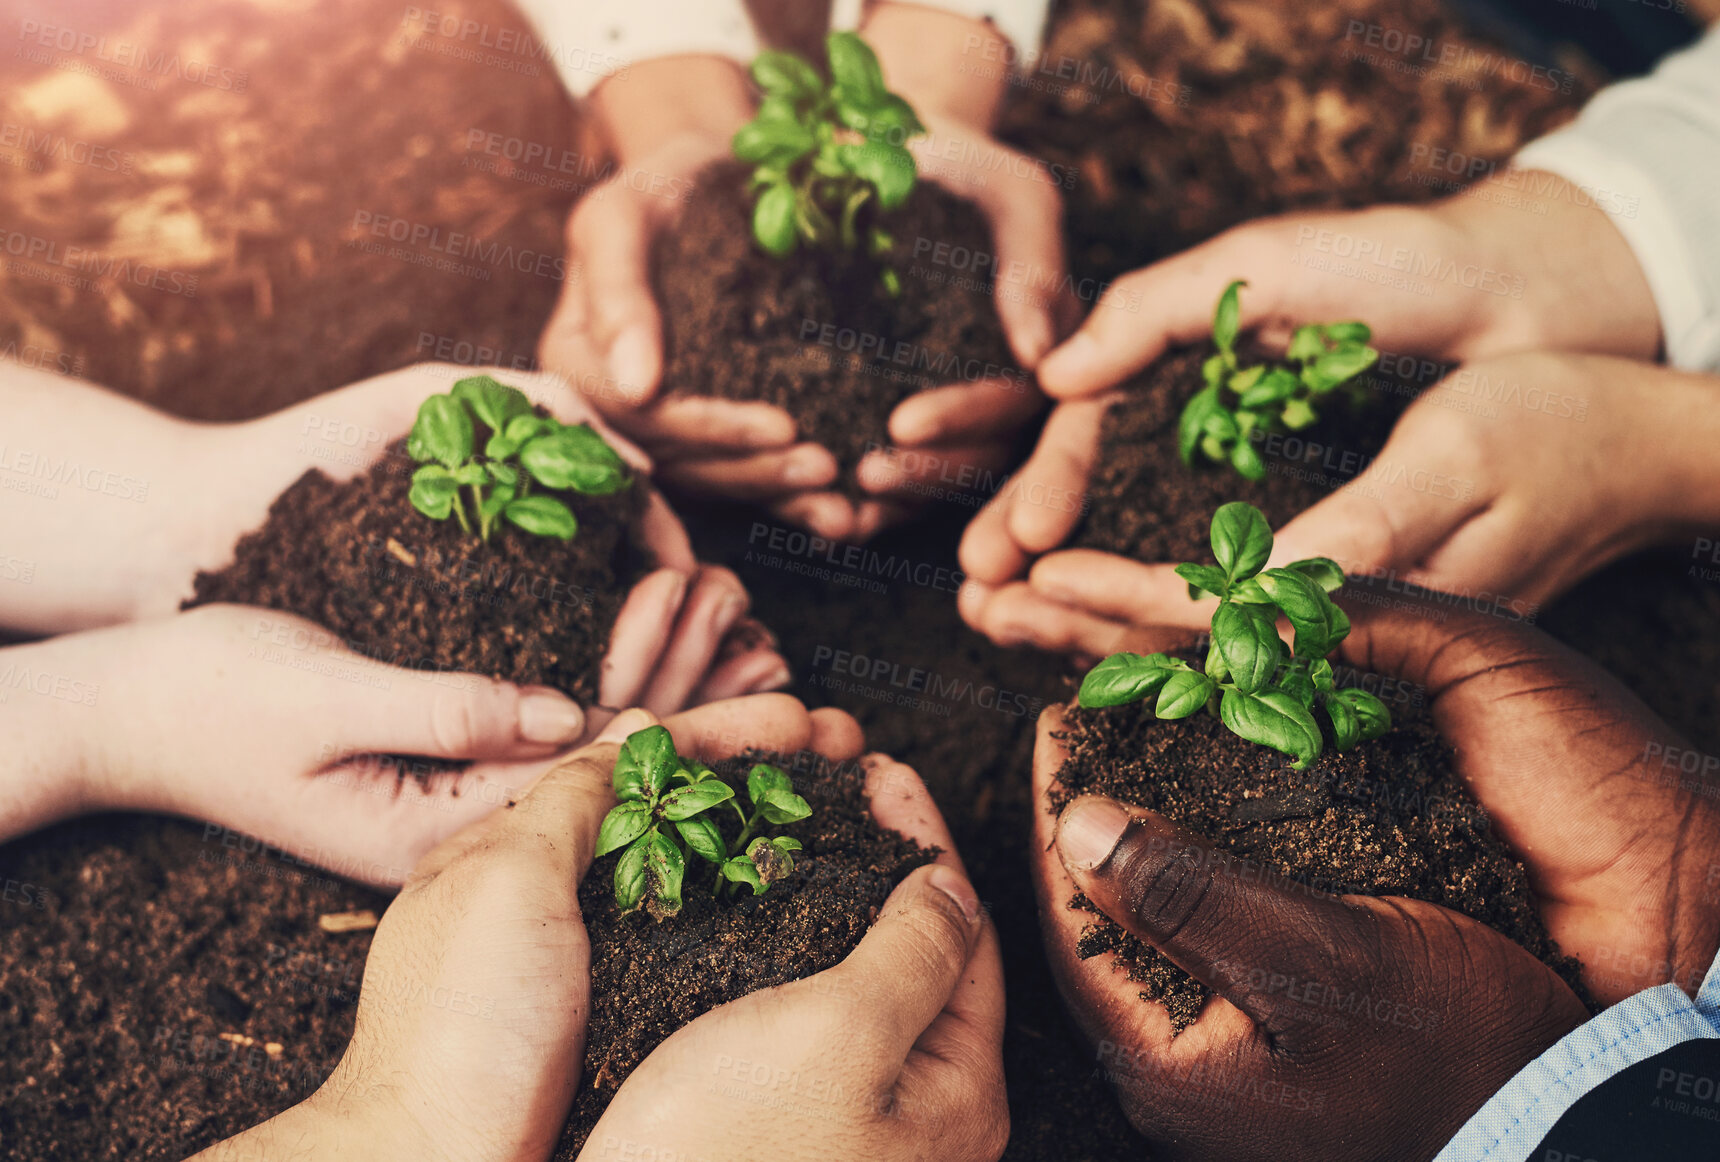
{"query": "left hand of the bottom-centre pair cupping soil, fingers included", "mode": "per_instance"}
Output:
(472, 1017)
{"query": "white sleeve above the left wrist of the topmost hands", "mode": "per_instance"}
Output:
(591, 40)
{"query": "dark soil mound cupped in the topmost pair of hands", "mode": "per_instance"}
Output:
(816, 333)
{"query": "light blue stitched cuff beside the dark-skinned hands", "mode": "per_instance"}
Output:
(1520, 1116)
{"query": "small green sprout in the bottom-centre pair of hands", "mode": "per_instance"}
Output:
(668, 802)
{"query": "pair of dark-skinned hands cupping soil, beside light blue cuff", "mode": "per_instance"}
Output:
(1279, 1067)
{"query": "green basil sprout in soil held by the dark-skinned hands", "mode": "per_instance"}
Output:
(1248, 682)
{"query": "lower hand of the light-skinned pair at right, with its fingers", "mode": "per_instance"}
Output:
(1511, 501)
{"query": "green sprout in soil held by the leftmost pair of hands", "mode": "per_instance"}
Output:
(522, 450)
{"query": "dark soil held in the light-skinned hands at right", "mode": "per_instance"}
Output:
(1145, 503)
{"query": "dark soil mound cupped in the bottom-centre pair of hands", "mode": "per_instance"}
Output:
(651, 979)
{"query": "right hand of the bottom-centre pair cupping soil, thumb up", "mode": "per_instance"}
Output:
(897, 1053)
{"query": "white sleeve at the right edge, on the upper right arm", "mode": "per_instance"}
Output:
(1649, 156)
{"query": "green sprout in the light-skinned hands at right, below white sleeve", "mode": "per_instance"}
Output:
(1241, 405)
